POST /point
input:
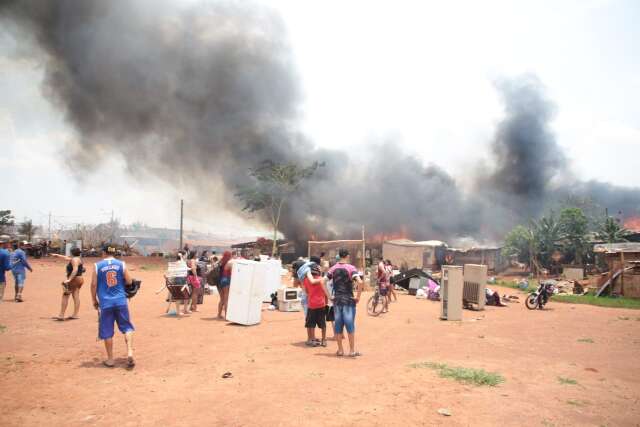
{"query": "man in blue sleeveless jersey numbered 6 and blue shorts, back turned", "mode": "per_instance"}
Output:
(109, 297)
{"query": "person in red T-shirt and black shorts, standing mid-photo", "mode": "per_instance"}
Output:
(317, 297)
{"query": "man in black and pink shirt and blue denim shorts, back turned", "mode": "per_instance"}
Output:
(343, 275)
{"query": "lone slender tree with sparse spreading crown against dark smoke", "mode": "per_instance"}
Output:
(273, 184)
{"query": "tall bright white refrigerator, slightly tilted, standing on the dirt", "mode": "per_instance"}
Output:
(246, 292)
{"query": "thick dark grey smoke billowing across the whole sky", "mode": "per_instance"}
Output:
(203, 93)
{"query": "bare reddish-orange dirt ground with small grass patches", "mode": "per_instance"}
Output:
(51, 372)
